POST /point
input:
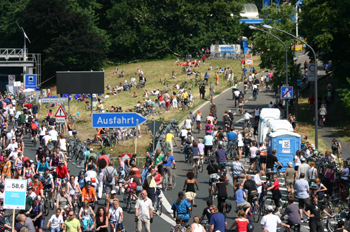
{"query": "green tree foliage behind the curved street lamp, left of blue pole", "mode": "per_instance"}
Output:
(273, 55)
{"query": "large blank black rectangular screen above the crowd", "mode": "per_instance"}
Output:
(80, 82)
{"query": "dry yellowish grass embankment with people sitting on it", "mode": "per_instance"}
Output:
(153, 71)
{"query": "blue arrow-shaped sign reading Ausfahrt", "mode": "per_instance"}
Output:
(115, 120)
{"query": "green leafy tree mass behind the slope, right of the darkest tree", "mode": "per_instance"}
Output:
(184, 26)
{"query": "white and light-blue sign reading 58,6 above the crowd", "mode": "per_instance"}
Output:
(15, 194)
